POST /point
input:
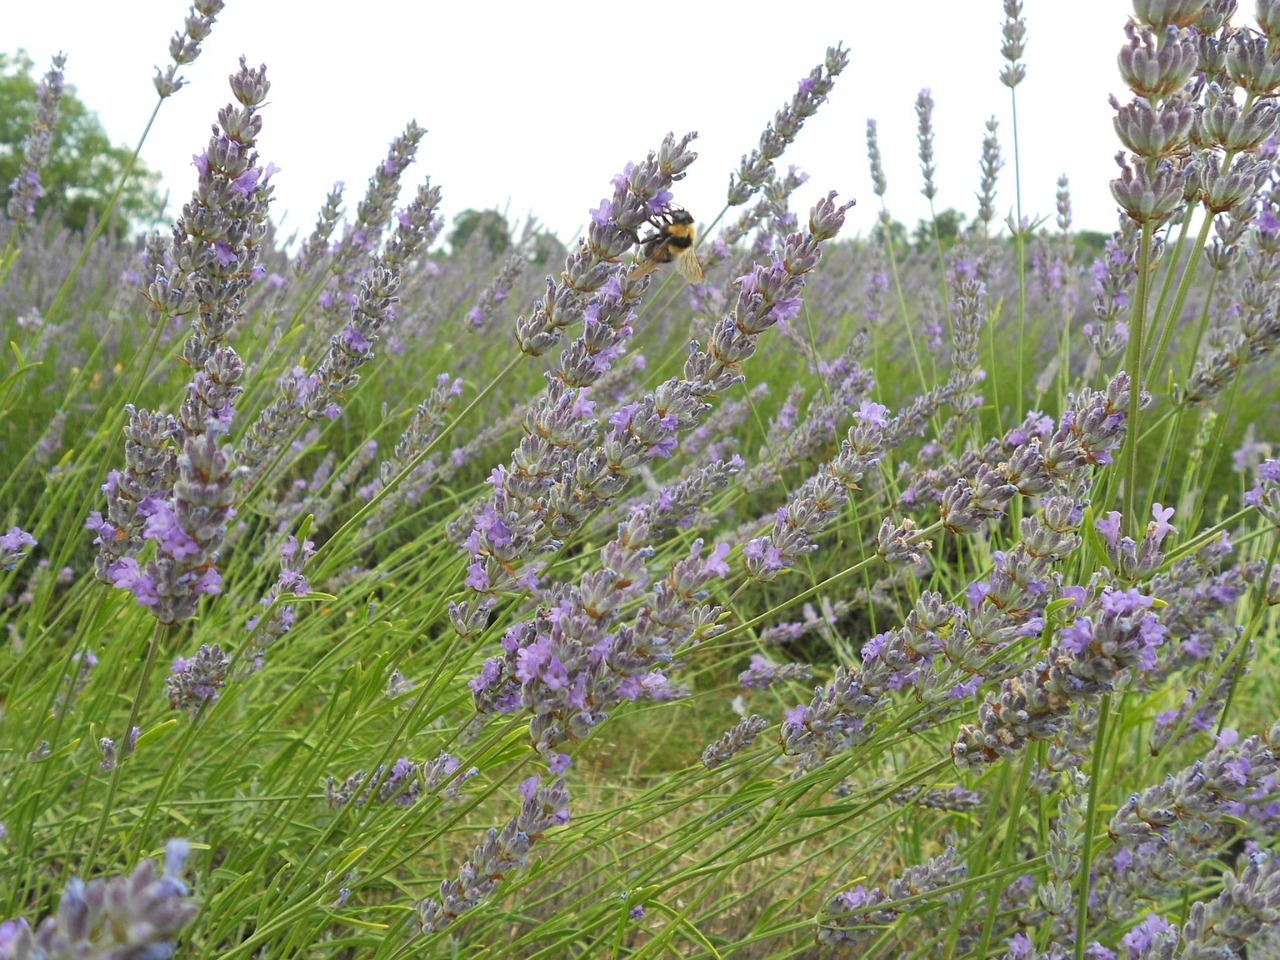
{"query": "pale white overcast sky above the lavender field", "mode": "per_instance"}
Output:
(540, 104)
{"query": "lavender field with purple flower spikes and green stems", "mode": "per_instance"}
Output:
(395, 593)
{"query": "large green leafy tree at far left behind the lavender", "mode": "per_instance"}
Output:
(84, 166)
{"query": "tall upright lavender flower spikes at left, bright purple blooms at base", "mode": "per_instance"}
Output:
(179, 484)
